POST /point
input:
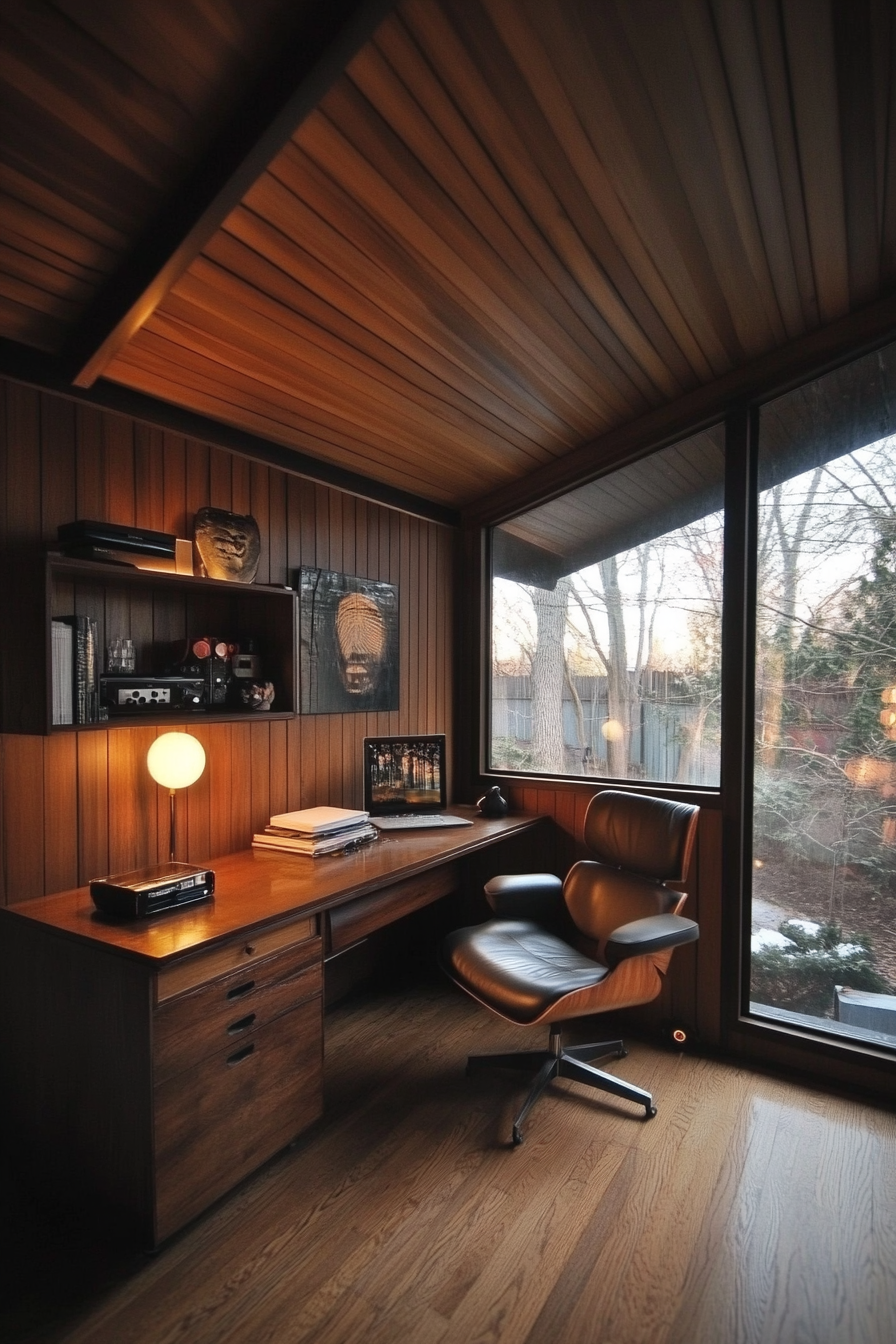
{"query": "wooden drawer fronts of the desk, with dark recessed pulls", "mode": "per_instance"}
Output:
(237, 1065)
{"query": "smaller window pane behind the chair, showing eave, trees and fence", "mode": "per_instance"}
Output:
(607, 622)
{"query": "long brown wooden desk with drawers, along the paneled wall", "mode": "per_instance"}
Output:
(155, 1064)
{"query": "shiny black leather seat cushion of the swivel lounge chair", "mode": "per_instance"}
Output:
(517, 968)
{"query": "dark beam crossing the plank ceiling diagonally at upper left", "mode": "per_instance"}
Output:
(288, 91)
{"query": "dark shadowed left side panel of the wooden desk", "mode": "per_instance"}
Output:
(75, 1068)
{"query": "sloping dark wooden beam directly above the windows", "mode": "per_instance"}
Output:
(770, 376)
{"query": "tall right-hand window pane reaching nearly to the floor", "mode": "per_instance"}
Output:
(824, 853)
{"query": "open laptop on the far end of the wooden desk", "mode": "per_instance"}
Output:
(405, 783)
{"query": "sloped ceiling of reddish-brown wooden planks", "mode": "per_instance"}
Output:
(507, 228)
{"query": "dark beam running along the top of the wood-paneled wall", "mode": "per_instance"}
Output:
(45, 373)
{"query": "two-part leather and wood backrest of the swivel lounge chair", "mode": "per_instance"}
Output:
(640, 843)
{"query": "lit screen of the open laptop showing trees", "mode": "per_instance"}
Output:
(405, 775)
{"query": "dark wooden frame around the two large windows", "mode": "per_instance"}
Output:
(737, 400)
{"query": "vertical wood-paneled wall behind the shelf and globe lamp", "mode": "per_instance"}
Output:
(81, 804)
